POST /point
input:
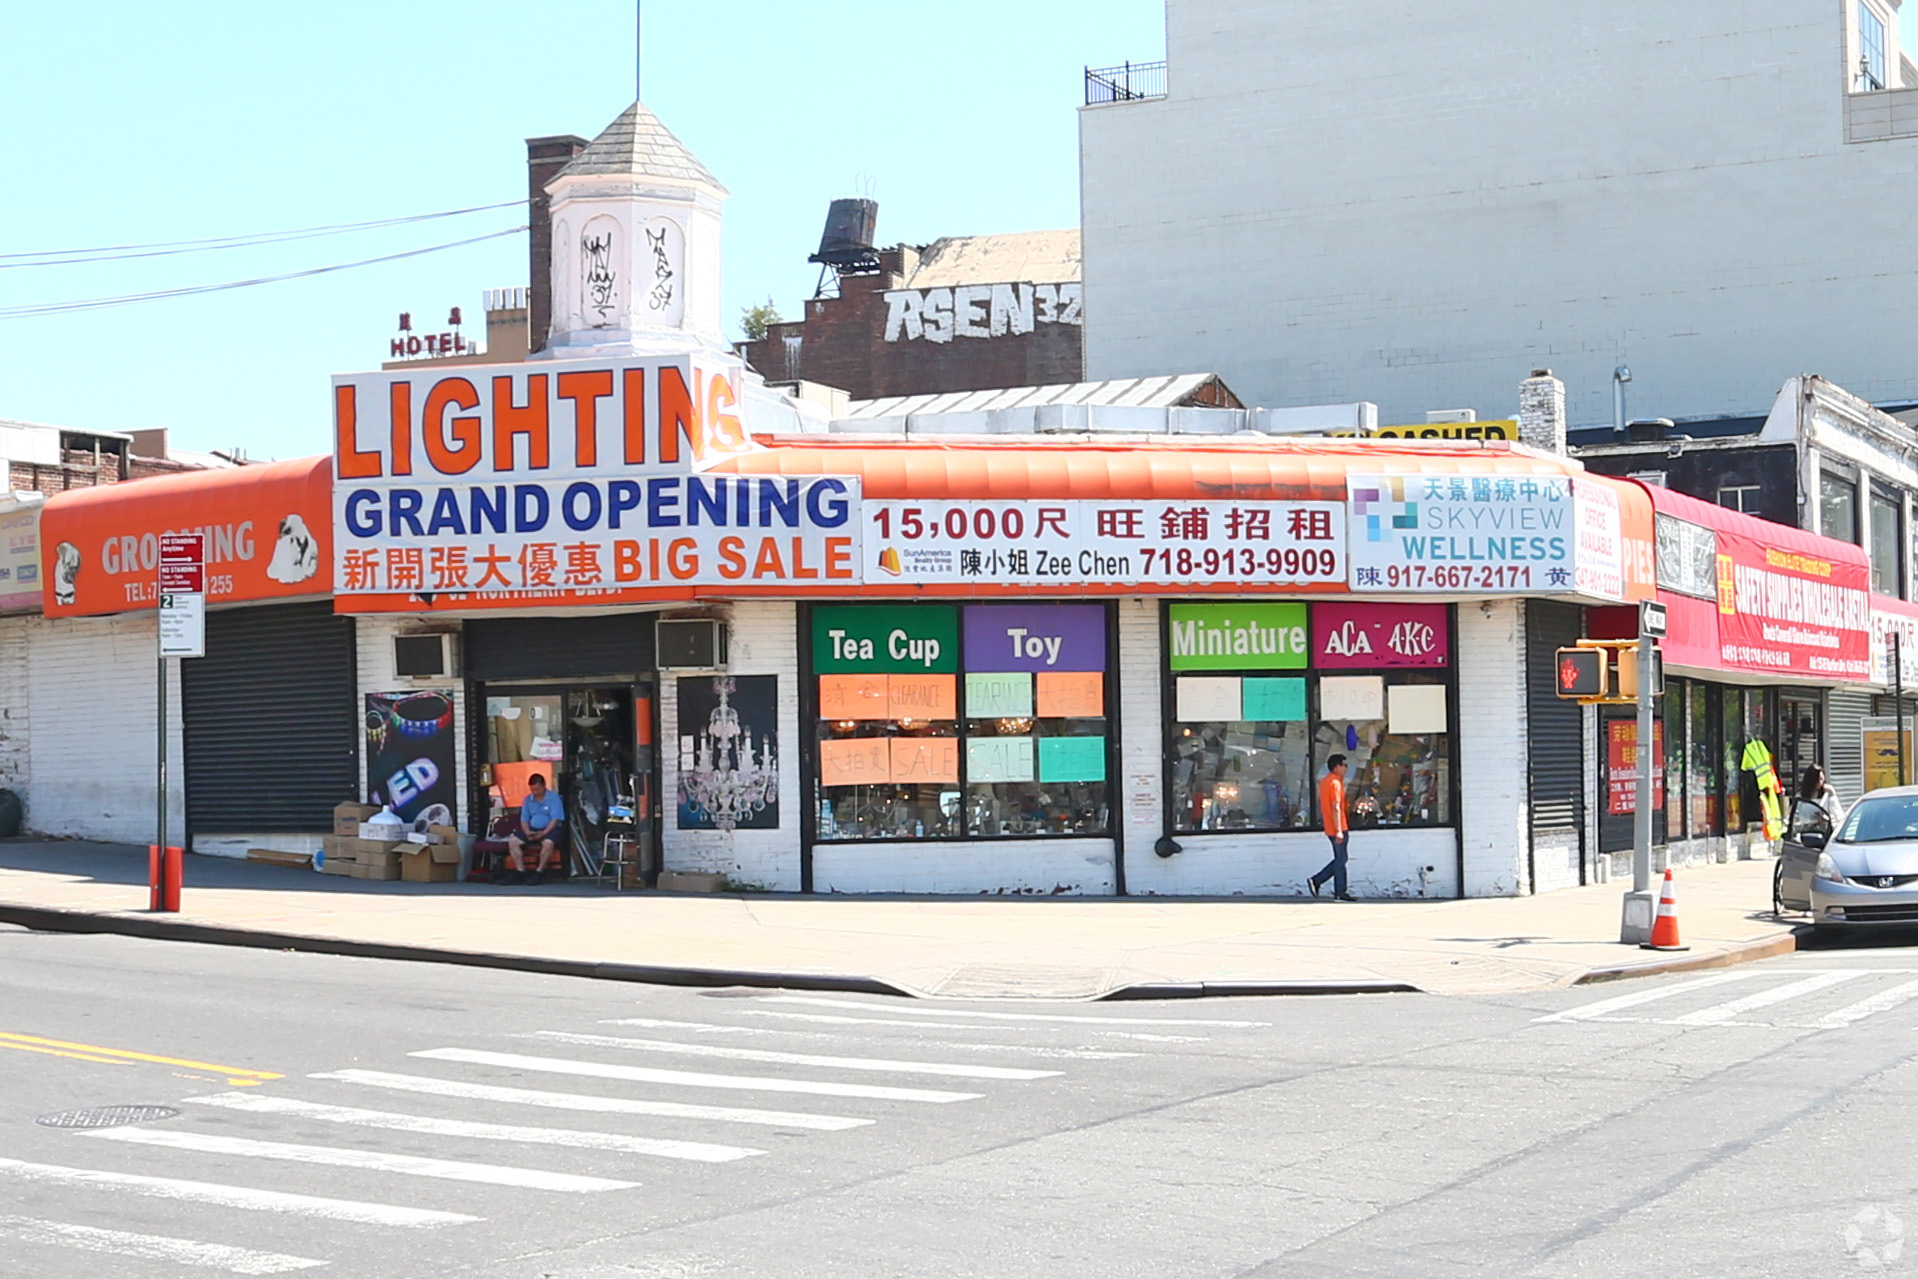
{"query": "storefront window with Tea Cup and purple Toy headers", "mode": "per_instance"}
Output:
(899, 762)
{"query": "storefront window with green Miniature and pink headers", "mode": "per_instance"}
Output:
(1265, 693)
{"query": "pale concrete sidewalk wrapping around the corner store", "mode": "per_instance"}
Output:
(956, 948)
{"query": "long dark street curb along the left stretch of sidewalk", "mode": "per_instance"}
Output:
(49, 919)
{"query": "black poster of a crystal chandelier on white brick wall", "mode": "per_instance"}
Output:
(730, 753)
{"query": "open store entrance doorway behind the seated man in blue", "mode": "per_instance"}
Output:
(594, 745)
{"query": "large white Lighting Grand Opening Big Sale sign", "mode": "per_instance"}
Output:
(569, 482)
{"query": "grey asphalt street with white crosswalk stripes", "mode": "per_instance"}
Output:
(392, 1121)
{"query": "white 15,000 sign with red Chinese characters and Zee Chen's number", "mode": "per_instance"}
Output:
(1110, 544)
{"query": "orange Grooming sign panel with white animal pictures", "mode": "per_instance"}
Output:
(268, 534)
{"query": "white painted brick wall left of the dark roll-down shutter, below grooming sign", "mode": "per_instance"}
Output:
(91, 699)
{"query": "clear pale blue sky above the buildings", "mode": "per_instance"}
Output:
(139, 124)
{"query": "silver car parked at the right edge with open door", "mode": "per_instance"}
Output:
(1861, 873)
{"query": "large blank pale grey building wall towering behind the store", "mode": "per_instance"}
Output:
(1420, 206)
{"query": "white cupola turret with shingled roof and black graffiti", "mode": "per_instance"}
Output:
(636, 246)
